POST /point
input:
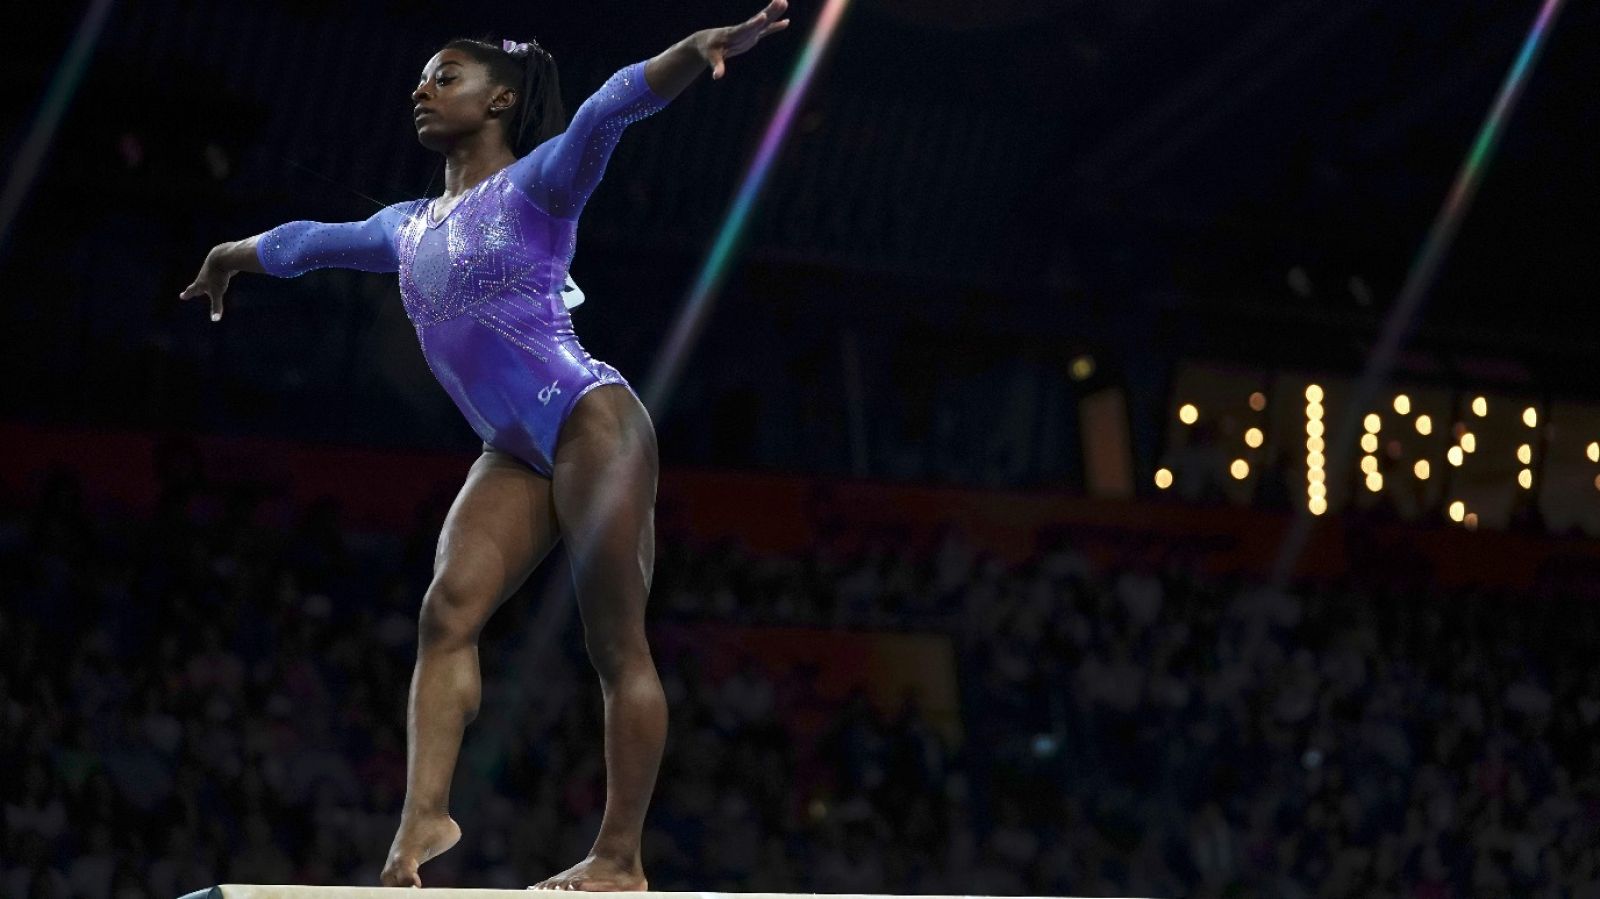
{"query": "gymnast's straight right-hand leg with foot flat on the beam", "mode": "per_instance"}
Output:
(606, 498)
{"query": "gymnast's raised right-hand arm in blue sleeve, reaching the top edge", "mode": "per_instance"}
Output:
(566, 170)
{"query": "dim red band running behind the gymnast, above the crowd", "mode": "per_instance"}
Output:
(385, 489)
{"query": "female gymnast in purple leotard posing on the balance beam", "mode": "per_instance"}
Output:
(569, 450)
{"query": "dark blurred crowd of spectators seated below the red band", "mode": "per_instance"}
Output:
(215, 693)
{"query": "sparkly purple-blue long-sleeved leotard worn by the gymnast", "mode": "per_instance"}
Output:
(484, 286)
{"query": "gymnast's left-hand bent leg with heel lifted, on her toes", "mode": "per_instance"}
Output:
(500, 529)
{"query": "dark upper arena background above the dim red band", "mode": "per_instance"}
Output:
(969, 199)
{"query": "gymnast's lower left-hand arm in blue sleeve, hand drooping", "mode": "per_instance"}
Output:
(295, 249)
